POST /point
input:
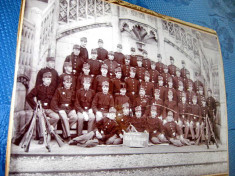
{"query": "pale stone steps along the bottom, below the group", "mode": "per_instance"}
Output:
(119, 160)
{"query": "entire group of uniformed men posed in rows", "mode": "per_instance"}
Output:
(118, 93)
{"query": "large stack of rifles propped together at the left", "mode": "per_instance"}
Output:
(48, 131)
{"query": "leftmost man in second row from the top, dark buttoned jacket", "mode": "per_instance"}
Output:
(76, 59)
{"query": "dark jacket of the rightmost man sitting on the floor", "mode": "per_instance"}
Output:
(171, 130)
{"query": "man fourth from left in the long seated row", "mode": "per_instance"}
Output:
(102, 102)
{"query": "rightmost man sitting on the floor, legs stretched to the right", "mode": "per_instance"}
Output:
(173, 132)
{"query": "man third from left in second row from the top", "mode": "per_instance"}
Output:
(112, 65)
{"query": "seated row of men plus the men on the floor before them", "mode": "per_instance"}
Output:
(107, 123)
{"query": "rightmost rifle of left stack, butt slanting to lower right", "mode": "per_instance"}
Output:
(51, 129)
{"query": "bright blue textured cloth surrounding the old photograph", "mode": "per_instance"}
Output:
(215, 14)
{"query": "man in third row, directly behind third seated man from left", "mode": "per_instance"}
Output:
(81, 77)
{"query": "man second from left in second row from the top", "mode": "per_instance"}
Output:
(94, 63)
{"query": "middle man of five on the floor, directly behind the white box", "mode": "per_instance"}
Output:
(138, 121)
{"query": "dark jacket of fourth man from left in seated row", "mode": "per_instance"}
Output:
(102, 102)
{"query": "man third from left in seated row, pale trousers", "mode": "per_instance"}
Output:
(83, 102)
